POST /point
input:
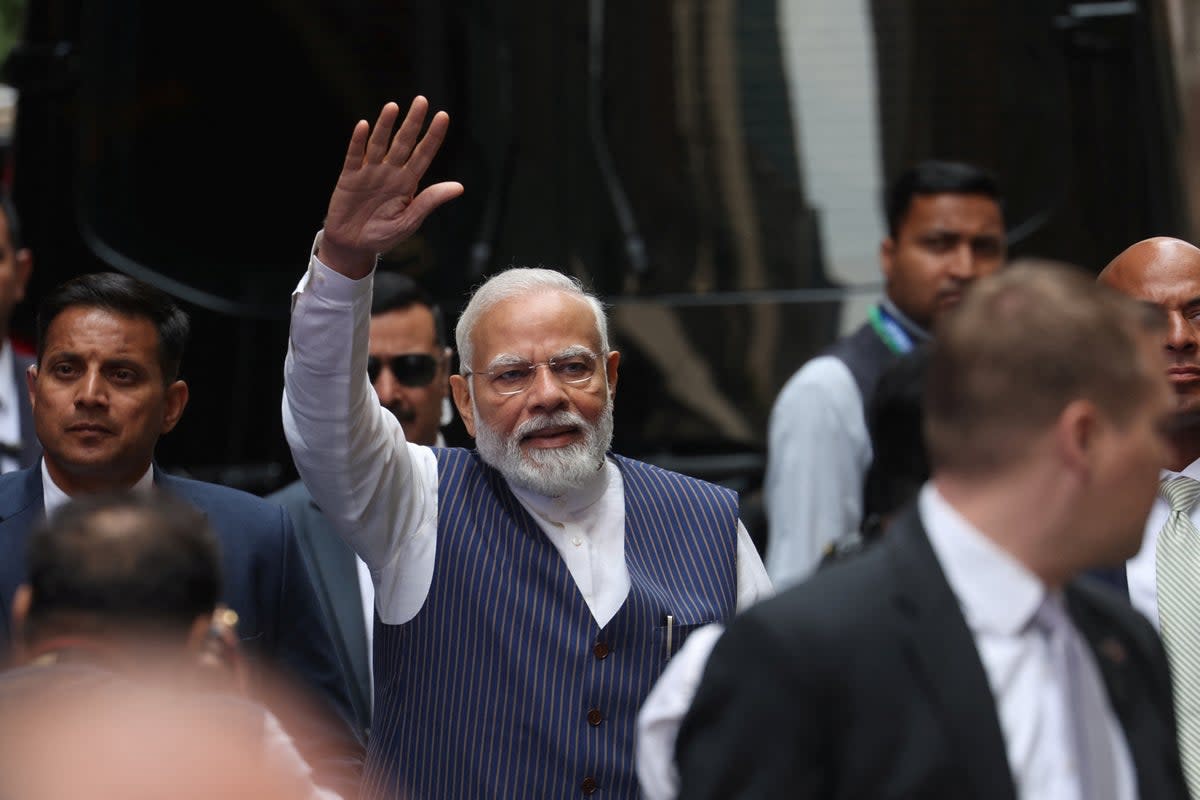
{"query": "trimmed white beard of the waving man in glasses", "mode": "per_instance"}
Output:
(549, 472)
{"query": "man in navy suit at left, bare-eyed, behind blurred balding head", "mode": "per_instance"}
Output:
(104, 392)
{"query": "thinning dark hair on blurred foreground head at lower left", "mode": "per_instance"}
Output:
(141, 561)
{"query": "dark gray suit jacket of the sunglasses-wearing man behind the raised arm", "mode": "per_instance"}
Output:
(334, 570)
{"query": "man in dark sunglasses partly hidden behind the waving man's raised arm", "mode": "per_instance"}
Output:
(409, 364)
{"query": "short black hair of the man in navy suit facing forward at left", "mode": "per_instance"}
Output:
(122, 294)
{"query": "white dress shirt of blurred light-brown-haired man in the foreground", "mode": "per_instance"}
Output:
(999, 598)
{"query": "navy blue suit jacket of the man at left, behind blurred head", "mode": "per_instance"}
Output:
(280, 621)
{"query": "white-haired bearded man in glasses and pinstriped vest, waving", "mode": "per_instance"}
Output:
(529, 593)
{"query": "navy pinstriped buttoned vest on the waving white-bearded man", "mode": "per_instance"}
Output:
(503, 685)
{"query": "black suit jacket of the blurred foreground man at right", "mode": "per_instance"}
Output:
(865, 682)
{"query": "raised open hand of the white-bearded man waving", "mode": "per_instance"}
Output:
(376, 204)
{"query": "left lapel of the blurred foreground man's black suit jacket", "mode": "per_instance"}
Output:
(947, 663)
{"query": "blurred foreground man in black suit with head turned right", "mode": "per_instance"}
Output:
(962, 657)
